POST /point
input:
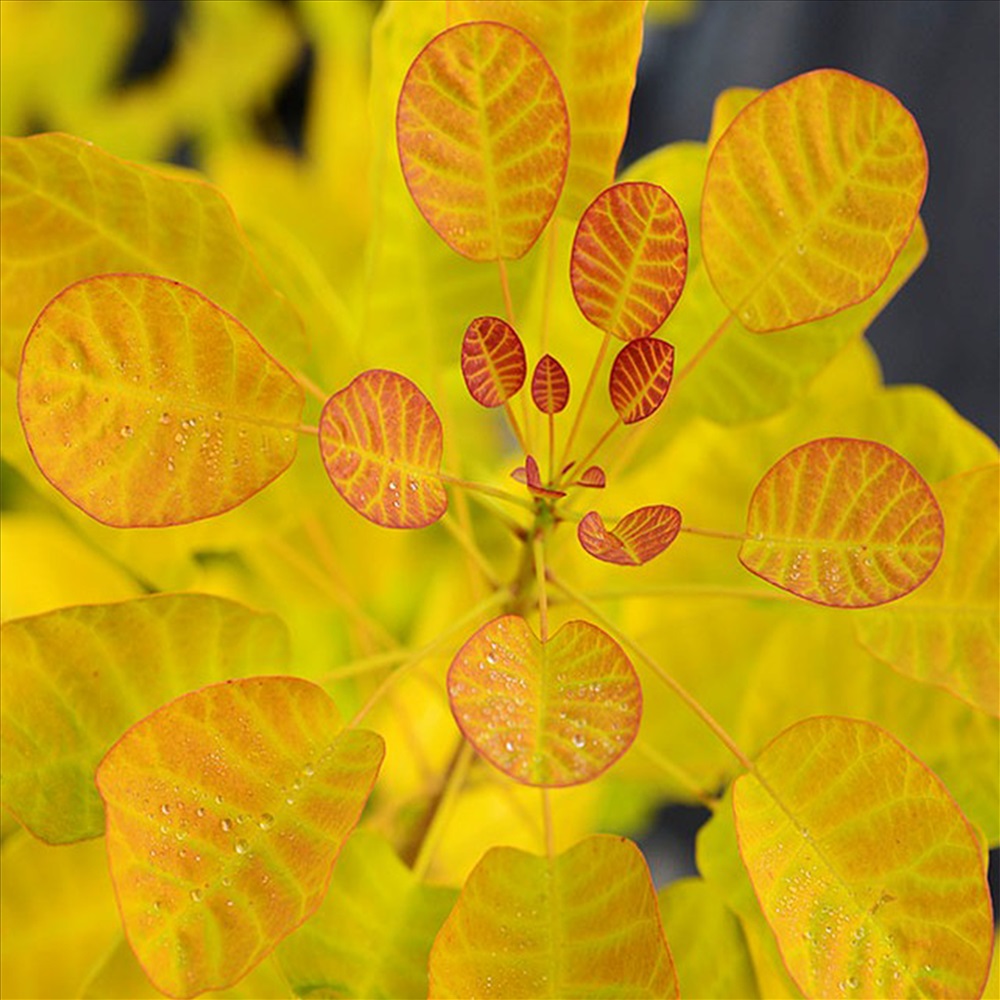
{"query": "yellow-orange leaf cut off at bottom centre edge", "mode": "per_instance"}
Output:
(584, 923)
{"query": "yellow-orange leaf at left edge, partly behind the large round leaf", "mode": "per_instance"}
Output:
(59, 227)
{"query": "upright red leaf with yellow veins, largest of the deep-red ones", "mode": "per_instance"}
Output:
(629, 259)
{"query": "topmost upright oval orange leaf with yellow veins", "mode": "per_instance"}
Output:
(483, 139)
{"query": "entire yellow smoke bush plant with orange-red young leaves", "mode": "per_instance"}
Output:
(625, 516)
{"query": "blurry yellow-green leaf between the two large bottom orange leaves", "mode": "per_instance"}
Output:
(373, 932)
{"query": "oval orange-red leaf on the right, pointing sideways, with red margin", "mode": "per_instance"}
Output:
(843, 522)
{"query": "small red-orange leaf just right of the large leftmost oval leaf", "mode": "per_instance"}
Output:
(381, 443)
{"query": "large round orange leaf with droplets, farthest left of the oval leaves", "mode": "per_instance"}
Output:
(146, 405)
